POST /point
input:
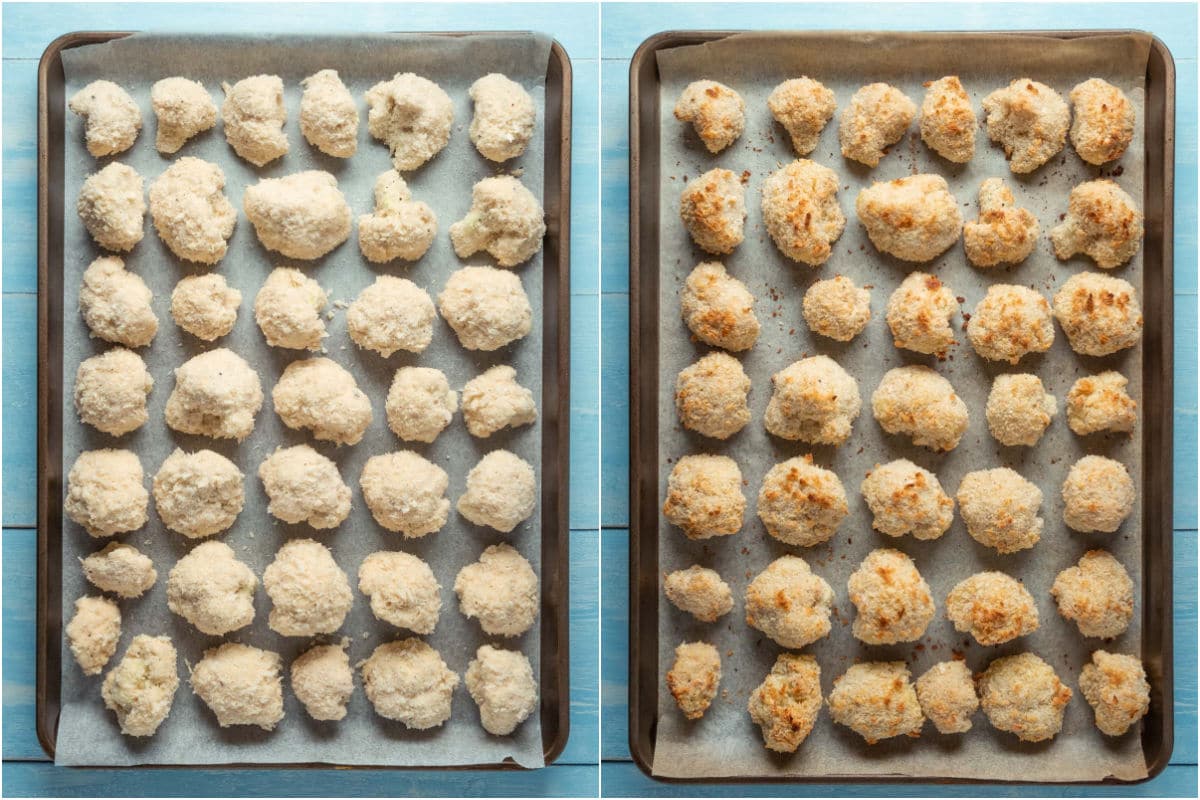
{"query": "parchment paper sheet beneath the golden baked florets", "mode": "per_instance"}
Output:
(727, 743)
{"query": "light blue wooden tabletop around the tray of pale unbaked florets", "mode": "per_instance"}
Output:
(28, 29)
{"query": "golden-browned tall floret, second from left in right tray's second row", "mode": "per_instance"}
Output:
(800, 208)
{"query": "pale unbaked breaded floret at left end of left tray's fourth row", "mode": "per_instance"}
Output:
(111, 392)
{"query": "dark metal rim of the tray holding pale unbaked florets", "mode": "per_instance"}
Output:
(555, 495)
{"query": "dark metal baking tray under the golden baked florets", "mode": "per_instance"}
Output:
(1156, 426)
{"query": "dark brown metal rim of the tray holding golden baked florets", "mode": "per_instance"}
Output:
(643, 753)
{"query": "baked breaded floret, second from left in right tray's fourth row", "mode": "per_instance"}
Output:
(814, 401)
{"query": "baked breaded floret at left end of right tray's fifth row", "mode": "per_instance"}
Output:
(705, 497)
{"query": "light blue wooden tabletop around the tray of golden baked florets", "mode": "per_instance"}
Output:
(623, 28)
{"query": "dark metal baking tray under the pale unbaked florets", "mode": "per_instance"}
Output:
(554, 407)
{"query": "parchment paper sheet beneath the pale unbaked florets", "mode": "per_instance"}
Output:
(88, 733)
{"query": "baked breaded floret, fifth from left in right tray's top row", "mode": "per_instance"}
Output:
(1029, 121)
